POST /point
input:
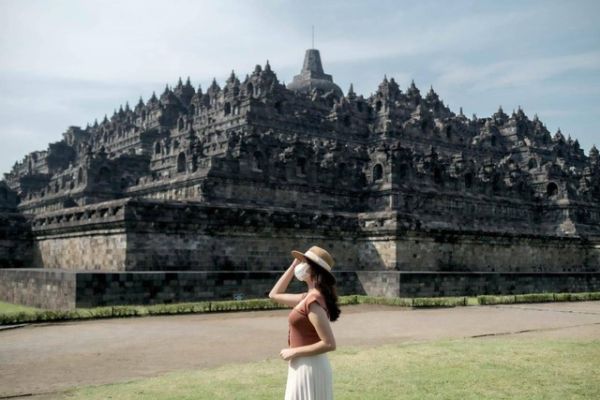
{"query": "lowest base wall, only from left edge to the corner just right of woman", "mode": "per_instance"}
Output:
(59, 289)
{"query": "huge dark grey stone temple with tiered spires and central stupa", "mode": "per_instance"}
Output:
(201, 194)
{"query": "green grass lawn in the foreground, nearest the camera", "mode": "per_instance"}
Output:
(463, 369)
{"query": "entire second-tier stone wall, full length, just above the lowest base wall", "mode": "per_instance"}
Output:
(130, 234)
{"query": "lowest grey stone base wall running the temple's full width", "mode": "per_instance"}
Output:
(55, 289)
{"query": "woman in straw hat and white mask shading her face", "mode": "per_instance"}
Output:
(310, 335)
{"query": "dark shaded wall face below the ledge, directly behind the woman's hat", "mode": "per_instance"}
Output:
(228, 251)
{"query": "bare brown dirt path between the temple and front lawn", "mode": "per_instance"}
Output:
(45, 358)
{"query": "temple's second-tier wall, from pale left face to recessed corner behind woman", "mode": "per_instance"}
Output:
(151, 235)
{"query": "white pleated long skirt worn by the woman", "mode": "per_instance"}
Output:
(309, 378)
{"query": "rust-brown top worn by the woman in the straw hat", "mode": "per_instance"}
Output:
(302, 332)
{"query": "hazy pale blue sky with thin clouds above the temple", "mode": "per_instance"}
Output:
(67, 63)
